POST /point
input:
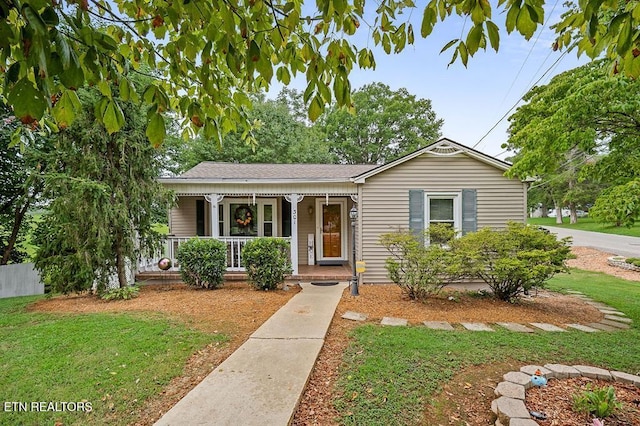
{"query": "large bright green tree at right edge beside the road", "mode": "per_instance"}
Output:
(579, 131)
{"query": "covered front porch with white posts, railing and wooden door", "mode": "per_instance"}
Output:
(317, 226)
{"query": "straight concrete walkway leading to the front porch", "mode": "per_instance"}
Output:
(261, 382)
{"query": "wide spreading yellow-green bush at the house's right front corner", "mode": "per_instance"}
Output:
(513, 260)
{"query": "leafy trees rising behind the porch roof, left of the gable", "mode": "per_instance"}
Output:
(280, 135)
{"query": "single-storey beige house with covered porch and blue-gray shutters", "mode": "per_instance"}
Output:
(310, 204)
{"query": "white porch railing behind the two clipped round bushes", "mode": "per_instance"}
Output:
(234, 250)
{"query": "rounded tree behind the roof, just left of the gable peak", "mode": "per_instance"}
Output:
(386, 125)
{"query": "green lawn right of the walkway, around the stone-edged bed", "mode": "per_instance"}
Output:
(392, 372)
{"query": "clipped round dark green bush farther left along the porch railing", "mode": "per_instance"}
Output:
(203, 262)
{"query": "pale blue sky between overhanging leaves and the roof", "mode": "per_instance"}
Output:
(470, 100)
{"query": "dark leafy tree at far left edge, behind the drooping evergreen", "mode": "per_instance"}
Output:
(21, 167)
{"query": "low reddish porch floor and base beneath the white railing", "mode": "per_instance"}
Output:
(305, 273)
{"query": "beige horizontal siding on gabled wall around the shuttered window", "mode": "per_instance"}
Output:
(385, 199)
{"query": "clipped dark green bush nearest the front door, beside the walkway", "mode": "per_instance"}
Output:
(267, 262)
